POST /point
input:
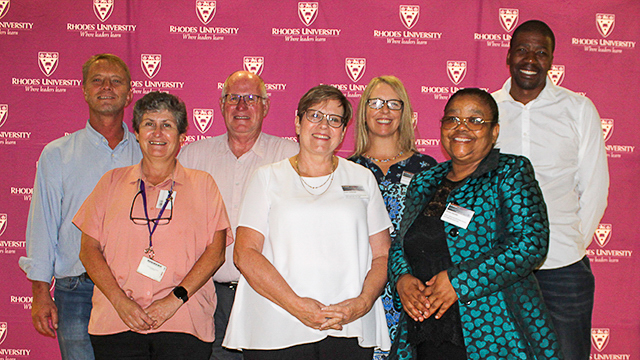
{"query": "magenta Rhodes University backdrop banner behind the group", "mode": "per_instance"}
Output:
(435, 47)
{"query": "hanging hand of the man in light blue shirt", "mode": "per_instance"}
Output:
(44, 312)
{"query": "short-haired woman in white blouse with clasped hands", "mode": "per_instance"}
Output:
(312, 245)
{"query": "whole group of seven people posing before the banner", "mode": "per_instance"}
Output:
(384, 255)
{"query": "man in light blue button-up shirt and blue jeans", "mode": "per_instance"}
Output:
(68, 170)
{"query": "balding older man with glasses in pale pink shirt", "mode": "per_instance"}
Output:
(231, 159)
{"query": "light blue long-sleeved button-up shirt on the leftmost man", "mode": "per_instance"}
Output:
(68, 170)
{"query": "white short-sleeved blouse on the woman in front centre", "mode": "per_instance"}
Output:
(320, 246)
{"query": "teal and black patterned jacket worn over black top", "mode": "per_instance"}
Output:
(501, 308)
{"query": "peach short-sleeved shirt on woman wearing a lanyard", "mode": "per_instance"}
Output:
(197, 214)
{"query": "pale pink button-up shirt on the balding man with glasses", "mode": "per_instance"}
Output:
(231, 174)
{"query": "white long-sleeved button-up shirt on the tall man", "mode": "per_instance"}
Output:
(561, 133)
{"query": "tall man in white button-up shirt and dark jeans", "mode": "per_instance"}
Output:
(560, 132)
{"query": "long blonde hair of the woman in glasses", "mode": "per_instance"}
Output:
(407, 137)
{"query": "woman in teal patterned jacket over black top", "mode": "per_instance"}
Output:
(468, 290)
